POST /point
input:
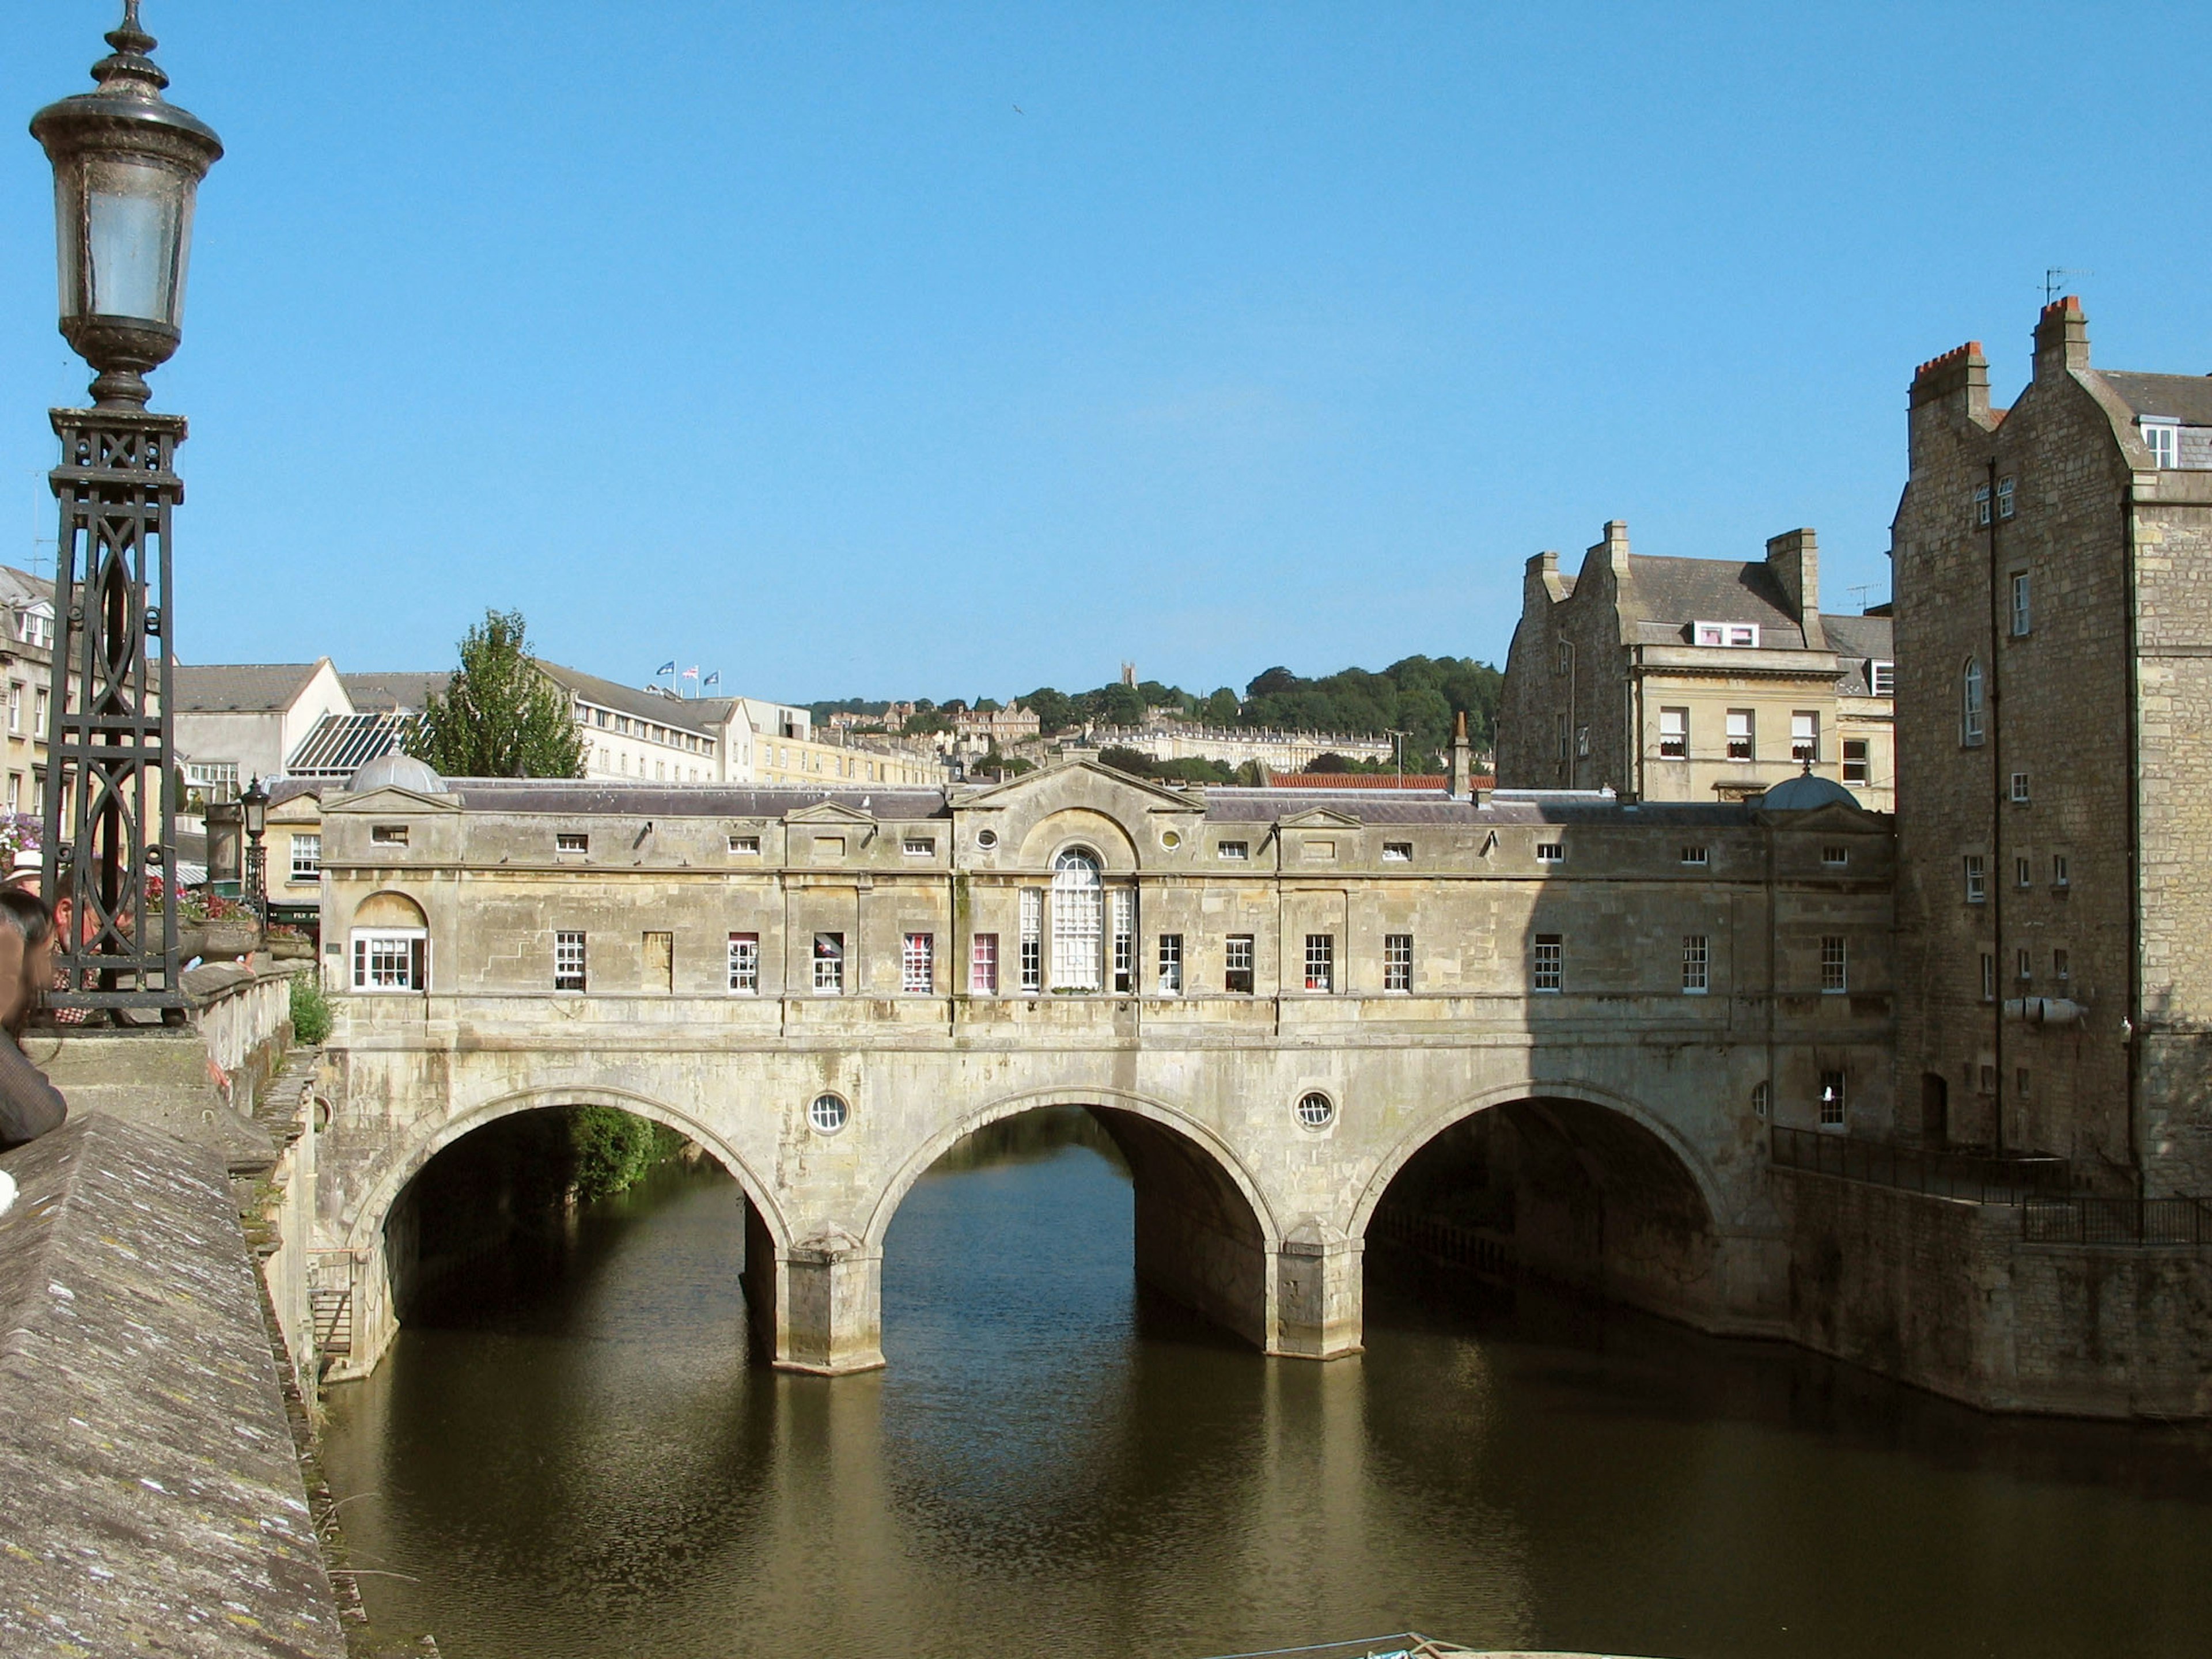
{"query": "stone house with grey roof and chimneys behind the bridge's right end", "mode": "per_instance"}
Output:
(1693, 680)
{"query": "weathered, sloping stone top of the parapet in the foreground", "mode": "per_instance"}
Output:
(149, 1488)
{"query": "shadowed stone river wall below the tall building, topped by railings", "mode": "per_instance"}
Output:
(1952, 1297)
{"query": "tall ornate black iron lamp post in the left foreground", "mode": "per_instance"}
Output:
(125, 171)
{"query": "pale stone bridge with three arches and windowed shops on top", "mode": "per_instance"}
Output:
(1273, 1003)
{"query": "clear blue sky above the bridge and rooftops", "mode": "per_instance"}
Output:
(954, 351)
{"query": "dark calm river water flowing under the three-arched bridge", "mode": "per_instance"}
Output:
(574, 1459)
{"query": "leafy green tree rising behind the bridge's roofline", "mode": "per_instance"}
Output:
(499, 718)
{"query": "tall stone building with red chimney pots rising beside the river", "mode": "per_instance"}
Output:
(2054, 576)
